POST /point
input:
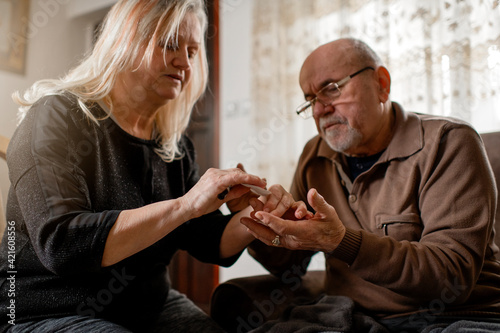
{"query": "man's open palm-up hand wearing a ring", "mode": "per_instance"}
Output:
(322, 232)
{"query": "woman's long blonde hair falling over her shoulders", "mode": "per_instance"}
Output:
(129, 26)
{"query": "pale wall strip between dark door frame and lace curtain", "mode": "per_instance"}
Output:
(235, 53)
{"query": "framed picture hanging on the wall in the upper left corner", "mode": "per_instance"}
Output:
(14, 20)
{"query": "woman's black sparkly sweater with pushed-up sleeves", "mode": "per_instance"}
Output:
(70, 178)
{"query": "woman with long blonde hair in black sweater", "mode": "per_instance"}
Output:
(105, 187)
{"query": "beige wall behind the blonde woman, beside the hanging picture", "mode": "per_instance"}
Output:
(56, 42)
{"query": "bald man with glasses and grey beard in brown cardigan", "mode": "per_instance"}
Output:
(404, 203)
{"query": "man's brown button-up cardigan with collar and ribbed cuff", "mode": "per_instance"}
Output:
(419, 222)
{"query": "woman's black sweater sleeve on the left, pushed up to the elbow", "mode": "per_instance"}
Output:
(51, 191)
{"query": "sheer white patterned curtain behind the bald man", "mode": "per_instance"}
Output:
(443, 56)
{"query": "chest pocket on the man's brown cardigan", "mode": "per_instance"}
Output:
(400, 227)
